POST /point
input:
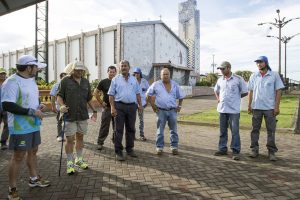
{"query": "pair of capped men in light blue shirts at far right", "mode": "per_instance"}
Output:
(264, 91)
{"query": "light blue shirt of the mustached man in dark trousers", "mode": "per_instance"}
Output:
(124, 91)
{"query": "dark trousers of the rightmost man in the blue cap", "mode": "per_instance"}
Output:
(270, 120)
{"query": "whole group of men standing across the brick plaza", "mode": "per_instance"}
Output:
(123, 95)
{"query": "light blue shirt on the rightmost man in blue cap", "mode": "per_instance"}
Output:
(264, 89)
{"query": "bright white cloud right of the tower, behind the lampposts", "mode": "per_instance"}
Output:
(240, 41)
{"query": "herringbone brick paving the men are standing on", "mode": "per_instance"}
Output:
(194, 174)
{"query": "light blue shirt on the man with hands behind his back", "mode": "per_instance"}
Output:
(230, 91)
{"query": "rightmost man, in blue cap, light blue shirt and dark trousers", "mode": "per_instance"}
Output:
(264, 99)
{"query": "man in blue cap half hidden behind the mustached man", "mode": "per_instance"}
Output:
(144, 85)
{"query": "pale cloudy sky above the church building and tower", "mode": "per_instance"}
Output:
(228, 28)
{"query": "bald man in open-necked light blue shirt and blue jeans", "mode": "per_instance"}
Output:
(163, 95)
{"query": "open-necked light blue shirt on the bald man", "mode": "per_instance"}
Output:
(163, 98)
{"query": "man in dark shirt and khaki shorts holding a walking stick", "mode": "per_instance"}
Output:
(73, 96)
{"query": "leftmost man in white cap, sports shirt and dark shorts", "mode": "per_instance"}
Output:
(20, 98)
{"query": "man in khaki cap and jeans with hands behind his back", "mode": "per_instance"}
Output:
(228, 90)
